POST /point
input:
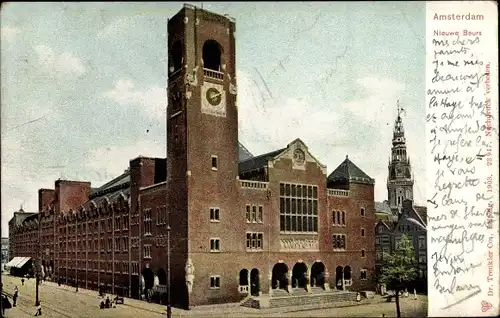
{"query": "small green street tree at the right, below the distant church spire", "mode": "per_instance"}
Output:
(399, 268)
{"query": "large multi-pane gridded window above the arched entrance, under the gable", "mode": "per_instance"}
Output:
(298, 208)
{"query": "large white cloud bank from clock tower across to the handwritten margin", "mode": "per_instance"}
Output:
(361, 128)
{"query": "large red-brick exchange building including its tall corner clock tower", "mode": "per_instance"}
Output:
(240, 224)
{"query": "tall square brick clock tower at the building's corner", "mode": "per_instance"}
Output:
(202, 140)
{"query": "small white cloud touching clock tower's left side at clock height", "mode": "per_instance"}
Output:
(153, 99)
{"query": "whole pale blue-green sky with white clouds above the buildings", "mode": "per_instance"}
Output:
(83, 87)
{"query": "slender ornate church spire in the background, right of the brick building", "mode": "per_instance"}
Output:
(400, 180)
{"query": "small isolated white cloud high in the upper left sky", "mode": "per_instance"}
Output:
(59, 64)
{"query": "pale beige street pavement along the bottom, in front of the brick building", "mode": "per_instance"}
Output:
(64, 301)
